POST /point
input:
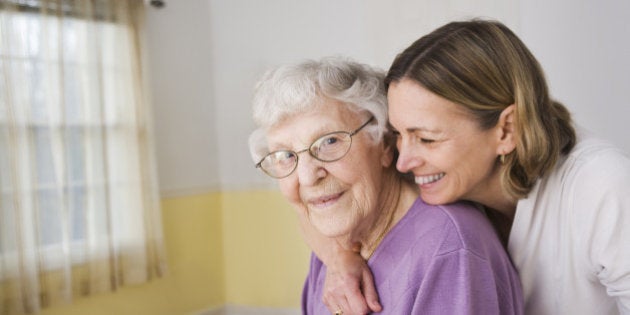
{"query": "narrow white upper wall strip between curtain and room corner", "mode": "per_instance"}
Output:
(178, 40)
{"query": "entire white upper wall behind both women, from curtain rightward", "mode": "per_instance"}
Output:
(209, 53)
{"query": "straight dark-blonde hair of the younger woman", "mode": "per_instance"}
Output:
(485, 67)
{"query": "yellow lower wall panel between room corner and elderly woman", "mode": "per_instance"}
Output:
(266, 259)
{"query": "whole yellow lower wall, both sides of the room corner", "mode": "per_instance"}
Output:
(232, 247)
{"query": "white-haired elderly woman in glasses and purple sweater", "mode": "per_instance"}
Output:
(323, 136)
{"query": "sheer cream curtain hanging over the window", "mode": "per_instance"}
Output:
(79, 210)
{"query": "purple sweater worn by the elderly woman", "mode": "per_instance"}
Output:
(436, 260)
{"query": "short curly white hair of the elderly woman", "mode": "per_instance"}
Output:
(292, 89)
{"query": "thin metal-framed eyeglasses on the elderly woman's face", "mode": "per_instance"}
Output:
(327, 148)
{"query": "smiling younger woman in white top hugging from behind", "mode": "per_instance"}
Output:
(476, 122)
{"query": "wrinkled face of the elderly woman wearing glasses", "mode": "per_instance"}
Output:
(338, 197)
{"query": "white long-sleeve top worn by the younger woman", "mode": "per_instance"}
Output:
(570, 240)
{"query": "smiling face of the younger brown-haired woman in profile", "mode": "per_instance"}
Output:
(440, 143)
